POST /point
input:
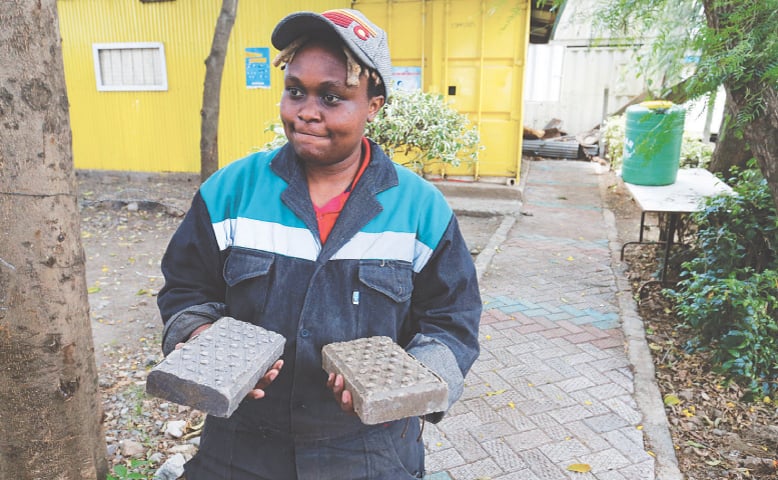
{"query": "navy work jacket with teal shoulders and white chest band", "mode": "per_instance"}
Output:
(395, 264)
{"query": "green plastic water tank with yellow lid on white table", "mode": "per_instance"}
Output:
(652, 144)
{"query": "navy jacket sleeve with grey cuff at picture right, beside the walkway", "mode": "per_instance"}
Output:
(446, 306)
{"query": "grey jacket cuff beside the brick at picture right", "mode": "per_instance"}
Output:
(440, 359)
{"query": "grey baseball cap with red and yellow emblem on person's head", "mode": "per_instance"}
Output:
(363, 38)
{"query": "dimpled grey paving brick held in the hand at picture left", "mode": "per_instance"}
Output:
(214, 371)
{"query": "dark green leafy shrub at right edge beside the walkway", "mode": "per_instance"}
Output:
(729, 292)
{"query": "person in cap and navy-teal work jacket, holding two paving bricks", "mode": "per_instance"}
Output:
(323, 240)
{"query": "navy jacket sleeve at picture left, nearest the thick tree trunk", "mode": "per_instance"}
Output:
(193, 294)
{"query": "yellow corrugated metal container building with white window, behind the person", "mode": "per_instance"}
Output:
(135, 72)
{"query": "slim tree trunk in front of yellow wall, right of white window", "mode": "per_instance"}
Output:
(214, 66)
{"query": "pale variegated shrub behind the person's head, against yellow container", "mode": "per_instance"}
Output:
(418, 126)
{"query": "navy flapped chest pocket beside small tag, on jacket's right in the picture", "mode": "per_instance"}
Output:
(384, 298)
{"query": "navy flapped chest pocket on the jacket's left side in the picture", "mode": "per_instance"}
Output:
(247, 275)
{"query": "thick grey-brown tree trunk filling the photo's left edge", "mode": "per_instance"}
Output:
(50, 406)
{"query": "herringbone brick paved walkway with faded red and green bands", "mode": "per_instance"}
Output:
(553, 385)
